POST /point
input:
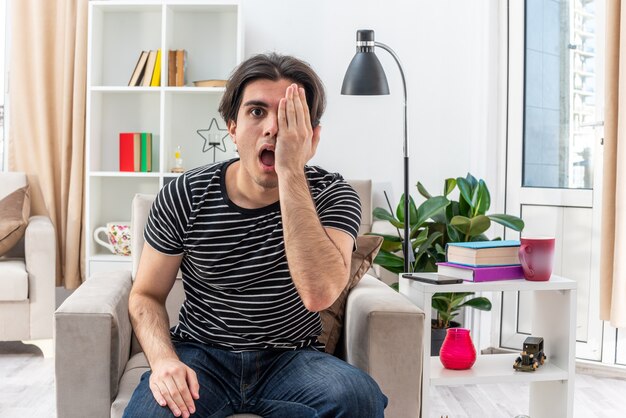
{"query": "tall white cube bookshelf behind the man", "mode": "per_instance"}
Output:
(212, 34)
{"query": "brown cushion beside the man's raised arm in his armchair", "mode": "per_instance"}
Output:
(332, 318)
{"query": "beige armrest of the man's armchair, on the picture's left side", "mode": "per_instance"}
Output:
(92, 343)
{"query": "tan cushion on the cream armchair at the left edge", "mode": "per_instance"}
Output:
(14, 213)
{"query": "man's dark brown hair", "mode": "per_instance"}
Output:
(273, 67)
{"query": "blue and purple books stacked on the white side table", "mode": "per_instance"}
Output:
(482, 261)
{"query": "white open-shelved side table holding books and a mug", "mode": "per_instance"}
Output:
(554, 319)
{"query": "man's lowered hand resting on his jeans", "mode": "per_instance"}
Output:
(175, 384)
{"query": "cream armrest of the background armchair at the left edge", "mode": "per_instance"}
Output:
(40, 260)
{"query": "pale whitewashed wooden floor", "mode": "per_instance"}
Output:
(27, 390)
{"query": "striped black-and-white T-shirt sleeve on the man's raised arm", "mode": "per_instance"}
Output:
(339, 207)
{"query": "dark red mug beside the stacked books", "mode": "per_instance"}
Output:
(536, 256)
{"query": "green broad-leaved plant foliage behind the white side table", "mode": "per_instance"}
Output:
(436, 222)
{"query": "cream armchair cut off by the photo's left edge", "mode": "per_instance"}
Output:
(27, 277)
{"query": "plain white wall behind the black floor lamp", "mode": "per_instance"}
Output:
(448, 49)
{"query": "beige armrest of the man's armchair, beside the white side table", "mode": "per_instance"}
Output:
(384, 335)
